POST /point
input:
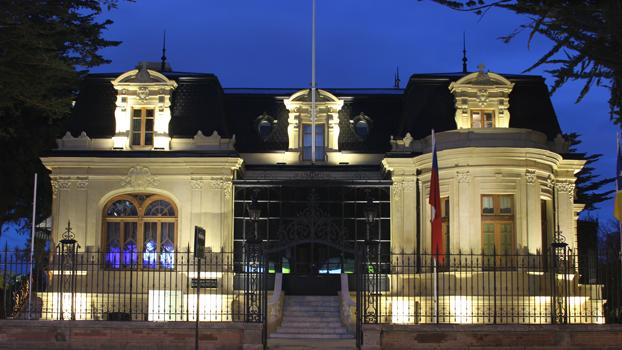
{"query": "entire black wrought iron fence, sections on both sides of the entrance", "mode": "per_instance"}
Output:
(396, 288)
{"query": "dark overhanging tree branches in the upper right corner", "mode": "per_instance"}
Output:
(587, 37)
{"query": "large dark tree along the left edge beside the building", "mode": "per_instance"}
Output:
(45, 48)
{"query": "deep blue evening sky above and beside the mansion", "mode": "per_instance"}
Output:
(253, 43)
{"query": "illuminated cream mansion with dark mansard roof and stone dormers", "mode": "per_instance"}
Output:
(149, 155)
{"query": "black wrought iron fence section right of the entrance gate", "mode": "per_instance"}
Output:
(490, 289)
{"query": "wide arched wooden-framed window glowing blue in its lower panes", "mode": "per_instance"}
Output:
(140, 224)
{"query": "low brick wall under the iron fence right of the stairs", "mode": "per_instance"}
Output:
(505, 337)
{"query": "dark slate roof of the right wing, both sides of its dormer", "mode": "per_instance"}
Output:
(428, 104)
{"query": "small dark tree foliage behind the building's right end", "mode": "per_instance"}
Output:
(589, 187)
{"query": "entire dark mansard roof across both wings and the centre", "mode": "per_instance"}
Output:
(200, 103)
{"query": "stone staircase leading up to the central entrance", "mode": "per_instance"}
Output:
(311, 317)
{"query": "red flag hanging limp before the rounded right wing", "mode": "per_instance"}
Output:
(435, 202)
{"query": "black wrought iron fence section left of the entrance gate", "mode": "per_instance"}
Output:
(130, 285)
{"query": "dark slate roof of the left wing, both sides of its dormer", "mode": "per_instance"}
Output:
(196, 104)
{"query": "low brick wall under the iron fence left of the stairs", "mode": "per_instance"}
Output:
(111, 335)
